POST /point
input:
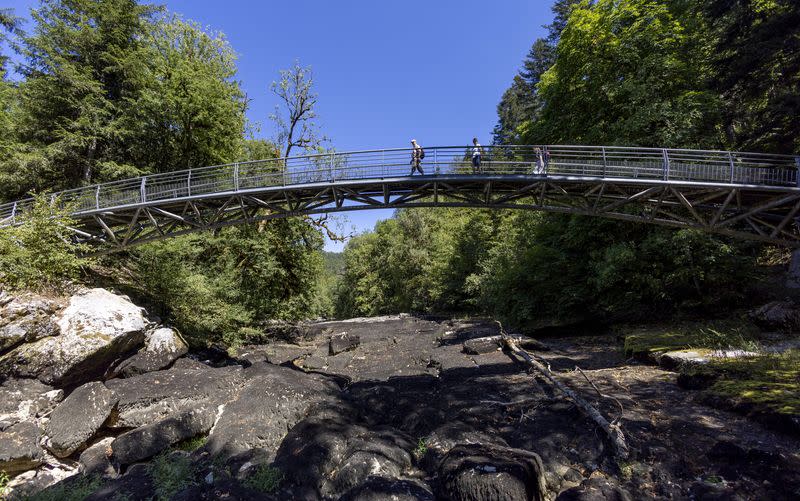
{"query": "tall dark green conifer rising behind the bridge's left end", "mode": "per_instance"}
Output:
(82, 67)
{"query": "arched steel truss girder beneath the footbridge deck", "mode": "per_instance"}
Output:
(750, 212)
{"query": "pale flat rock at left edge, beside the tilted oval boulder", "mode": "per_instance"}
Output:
(24, 400)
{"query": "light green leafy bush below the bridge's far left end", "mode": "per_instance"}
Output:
(37, 253)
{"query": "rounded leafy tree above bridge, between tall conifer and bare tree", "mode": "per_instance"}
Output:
(190, 112)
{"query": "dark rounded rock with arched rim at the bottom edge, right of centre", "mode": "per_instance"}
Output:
(488, 473)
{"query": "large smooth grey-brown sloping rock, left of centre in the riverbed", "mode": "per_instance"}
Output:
(271, 402)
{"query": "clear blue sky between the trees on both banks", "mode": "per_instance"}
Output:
(384, 71)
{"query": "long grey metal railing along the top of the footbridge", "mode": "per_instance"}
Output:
(677, 165)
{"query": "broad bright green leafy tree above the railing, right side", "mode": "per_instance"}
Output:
(629, 72)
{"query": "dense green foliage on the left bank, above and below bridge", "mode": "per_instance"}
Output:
(119, 88)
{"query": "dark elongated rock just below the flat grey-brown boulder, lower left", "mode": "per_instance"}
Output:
(149, 440)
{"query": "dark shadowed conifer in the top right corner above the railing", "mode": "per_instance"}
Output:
(757, 71)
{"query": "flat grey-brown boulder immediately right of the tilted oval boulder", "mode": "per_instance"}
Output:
(145, 399)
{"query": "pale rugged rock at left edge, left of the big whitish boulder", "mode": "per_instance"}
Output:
(26, 318)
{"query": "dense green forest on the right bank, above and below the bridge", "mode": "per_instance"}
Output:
(676, 73)
